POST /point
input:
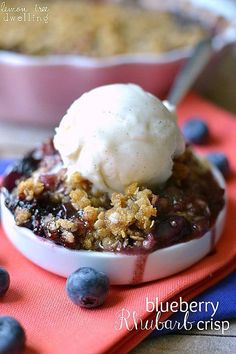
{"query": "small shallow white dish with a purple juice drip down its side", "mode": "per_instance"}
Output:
(120, 268)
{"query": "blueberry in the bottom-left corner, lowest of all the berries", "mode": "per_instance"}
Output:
(12, 336)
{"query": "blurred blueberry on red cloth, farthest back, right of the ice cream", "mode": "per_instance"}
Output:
(195, 131)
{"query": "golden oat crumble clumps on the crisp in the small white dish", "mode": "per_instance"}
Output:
(128, 211)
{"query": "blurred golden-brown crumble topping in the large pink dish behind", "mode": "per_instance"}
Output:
(96, 29)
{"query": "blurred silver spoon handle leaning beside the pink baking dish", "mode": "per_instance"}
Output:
(188, 74)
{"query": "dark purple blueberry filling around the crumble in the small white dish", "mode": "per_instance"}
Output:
(186, 206)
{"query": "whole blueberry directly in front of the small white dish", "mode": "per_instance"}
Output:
(87, 288)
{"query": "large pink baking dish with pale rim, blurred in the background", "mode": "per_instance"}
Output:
(39, 89)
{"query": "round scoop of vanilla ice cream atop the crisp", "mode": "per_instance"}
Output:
(118, 134)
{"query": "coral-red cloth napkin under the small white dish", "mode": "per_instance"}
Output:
(54, 325)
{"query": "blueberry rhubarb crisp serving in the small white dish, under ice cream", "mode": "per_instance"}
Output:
(68, 212)
